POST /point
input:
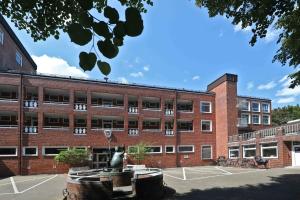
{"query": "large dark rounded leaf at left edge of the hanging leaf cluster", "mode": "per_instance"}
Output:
(79, 35)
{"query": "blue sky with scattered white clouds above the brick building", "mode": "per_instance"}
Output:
(181, 47)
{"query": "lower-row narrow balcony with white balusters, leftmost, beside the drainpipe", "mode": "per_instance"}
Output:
(30, 123)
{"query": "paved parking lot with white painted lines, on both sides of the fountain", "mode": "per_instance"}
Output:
(207, 182)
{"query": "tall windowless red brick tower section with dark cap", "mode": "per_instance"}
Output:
(225, 89)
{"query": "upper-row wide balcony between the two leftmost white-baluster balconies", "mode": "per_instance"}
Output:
(56, 96)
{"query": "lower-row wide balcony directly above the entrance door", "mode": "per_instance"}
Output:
(100, 123)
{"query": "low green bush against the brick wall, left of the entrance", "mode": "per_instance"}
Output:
(73, 157)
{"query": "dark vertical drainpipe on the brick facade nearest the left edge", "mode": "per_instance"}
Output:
(20, 123)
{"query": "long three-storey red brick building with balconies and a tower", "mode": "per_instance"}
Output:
(41, 115)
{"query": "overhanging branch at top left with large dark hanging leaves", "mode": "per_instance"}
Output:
(80, 19)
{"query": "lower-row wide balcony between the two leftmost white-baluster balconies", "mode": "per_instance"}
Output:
(56, 121)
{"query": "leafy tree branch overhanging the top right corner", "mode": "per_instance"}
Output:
(261, 15)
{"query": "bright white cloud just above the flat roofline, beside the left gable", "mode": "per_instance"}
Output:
(58, 66)
